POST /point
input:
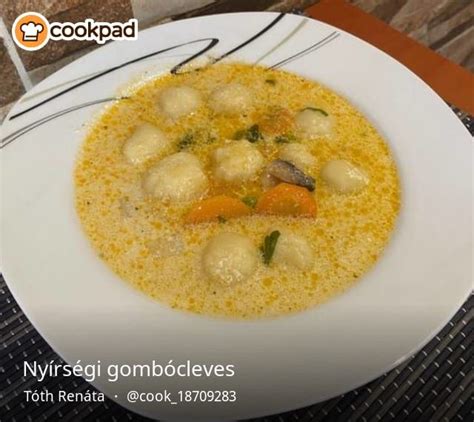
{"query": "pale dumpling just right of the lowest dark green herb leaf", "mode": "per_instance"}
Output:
(294, 251)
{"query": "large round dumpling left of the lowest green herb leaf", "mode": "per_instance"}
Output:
(230, 258)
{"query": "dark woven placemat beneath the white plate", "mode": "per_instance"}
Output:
(434, 385)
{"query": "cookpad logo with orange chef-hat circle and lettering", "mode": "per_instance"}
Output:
(32, 31)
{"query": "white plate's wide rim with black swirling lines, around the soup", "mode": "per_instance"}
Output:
(85, 312)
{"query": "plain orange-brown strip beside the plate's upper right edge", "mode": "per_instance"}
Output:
(452, 82)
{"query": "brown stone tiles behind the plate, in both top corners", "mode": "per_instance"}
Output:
(446, 26)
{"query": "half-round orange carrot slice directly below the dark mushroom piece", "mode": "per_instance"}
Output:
(287, 200)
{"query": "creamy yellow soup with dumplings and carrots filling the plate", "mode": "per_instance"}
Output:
(237, 191)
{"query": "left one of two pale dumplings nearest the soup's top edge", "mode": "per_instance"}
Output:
(178, 101)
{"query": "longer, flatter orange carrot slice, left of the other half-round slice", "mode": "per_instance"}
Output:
(215, 208)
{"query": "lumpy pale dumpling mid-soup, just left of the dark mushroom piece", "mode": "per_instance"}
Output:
(237, 162)
